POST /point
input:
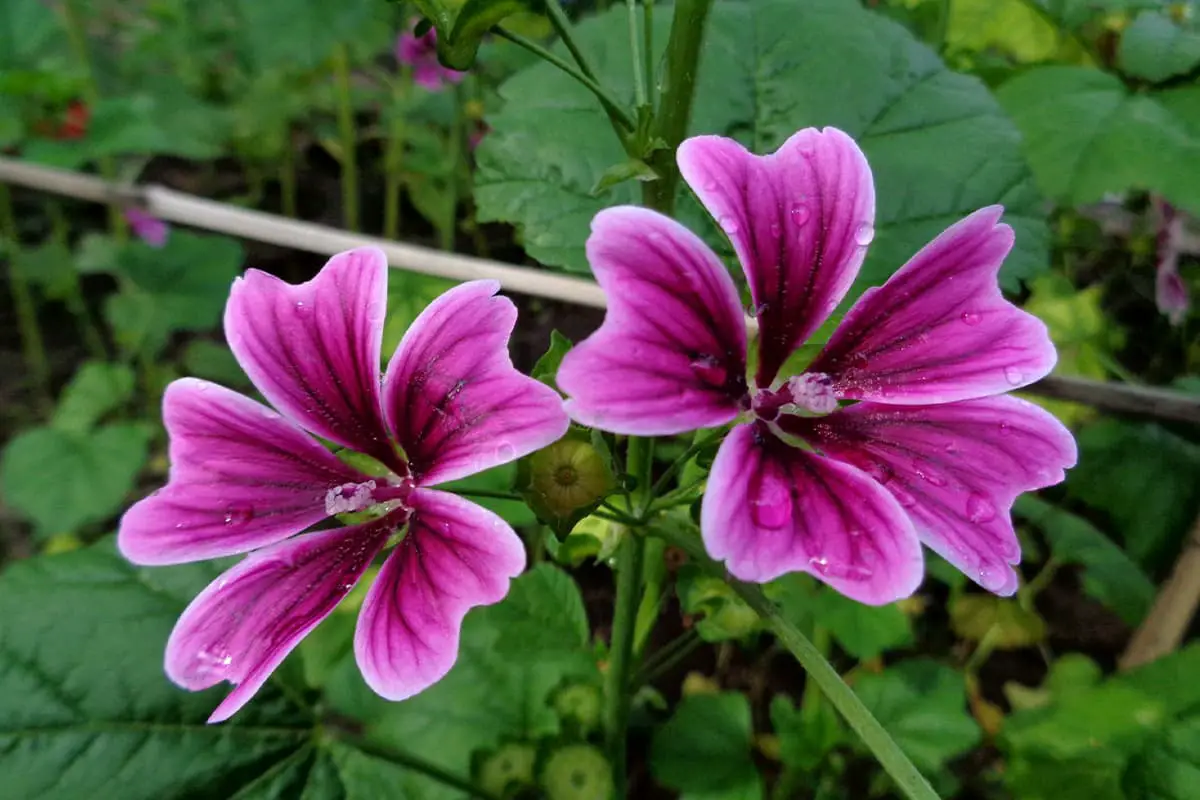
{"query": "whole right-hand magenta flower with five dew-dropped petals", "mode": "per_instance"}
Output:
(931, 452)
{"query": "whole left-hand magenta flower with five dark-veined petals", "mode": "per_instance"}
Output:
(245, 478)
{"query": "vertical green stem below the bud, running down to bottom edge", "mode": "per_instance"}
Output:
(621, 657)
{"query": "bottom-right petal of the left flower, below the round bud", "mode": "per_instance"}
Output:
(455, 557)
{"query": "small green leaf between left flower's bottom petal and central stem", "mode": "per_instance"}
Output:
(543, 613)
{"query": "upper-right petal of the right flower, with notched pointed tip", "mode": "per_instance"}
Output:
(940, 330)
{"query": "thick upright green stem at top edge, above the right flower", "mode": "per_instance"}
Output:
(676, 98)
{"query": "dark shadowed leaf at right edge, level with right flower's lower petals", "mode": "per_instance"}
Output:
(1144, 478)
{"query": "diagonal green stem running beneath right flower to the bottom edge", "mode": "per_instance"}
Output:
(908, 778)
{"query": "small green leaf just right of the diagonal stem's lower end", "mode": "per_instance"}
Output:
(925, 707)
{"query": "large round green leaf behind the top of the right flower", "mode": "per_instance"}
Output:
(939, 145)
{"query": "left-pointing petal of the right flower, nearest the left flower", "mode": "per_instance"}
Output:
(670, 357)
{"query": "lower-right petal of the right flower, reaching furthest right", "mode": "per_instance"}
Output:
(956, 468)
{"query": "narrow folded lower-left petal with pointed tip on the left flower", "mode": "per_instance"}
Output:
(248, 621)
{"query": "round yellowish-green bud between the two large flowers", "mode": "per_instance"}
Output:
(565, 482)
